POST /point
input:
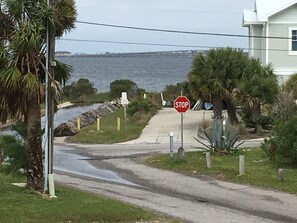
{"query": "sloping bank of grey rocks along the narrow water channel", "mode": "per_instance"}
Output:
(69, 128)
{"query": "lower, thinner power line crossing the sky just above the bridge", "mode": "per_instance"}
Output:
(165, 45)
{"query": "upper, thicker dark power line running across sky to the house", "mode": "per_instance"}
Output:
(180, 32)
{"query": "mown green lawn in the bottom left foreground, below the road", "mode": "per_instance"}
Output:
(20, 205)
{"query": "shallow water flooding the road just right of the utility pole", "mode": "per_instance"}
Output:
(76, 164)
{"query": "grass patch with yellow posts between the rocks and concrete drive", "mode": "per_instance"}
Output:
(108, 129)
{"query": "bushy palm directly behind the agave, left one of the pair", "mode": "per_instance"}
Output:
(213, 78)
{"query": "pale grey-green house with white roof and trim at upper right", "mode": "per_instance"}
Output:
(273, 34)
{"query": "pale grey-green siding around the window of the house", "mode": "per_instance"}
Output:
(279, 48)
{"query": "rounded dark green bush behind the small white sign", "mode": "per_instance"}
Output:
(123, 85)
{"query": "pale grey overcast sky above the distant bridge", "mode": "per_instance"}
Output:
(210, 16)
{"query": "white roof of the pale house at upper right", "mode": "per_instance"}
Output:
(264, 9)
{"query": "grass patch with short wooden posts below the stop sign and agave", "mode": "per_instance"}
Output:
(259, 170)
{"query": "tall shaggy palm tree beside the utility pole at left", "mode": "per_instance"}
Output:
(22, 52)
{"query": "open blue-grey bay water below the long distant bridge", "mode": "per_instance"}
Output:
(151, 74)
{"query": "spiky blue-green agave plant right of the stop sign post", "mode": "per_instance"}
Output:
(220, 137)
